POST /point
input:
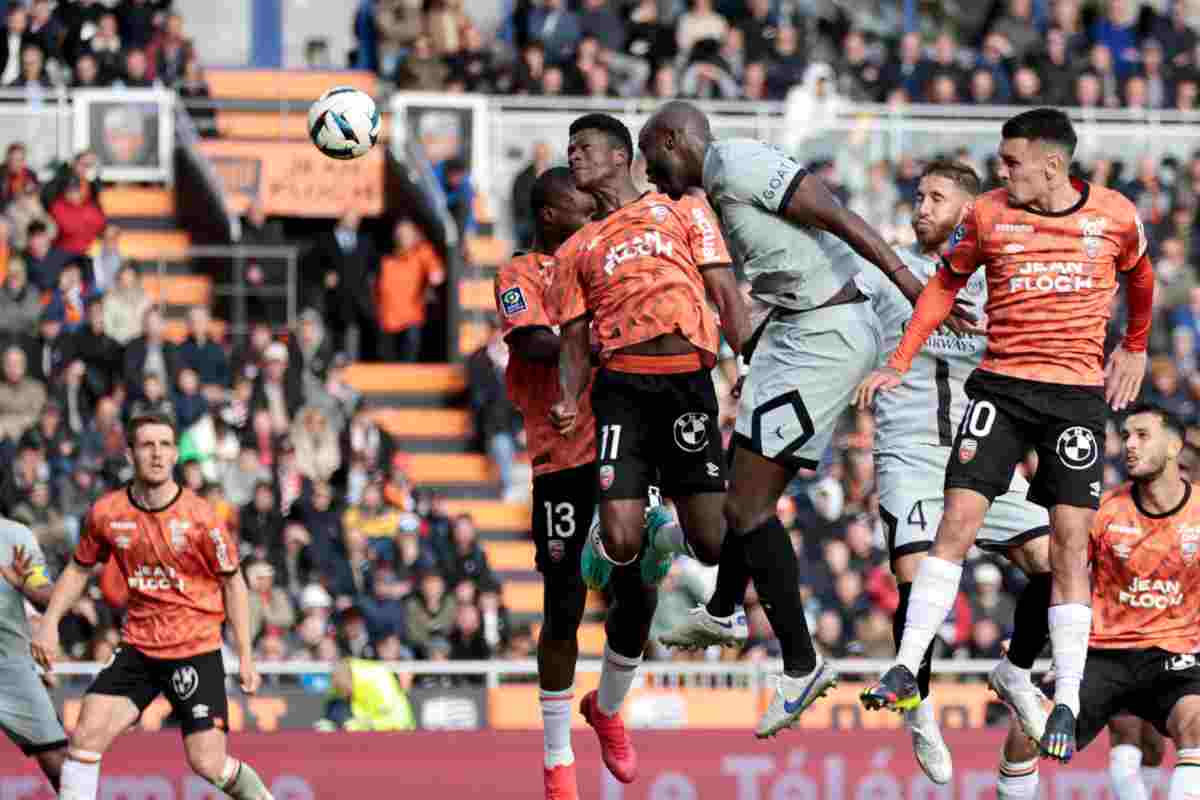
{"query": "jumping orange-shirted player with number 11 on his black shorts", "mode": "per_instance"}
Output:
(641, 278)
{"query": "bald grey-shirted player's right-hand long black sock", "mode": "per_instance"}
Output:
(777, 576)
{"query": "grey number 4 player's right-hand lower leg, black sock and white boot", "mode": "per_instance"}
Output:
(1012, 679)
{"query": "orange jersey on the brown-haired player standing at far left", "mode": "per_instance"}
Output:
(173, 562)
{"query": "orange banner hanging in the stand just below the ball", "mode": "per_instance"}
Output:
(295, 181)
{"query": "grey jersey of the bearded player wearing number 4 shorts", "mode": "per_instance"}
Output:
(927, 407)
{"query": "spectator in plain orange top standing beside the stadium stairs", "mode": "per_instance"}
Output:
(405, 278)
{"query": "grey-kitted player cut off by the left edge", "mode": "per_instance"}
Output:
(27, 712)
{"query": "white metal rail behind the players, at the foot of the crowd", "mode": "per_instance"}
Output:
(758, 675)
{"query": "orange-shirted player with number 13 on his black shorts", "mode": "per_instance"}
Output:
(565, 484)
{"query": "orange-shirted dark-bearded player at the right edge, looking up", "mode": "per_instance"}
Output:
(1142, 659)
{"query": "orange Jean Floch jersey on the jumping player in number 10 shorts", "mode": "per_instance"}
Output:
(1051, 281)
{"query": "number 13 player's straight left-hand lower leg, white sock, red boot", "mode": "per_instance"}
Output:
(565, 598)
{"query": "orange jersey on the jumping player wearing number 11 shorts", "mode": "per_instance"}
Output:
(638, 274)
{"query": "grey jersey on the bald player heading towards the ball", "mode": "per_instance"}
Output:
(790, 266)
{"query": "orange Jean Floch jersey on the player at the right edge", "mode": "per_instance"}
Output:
(1145, 575)
